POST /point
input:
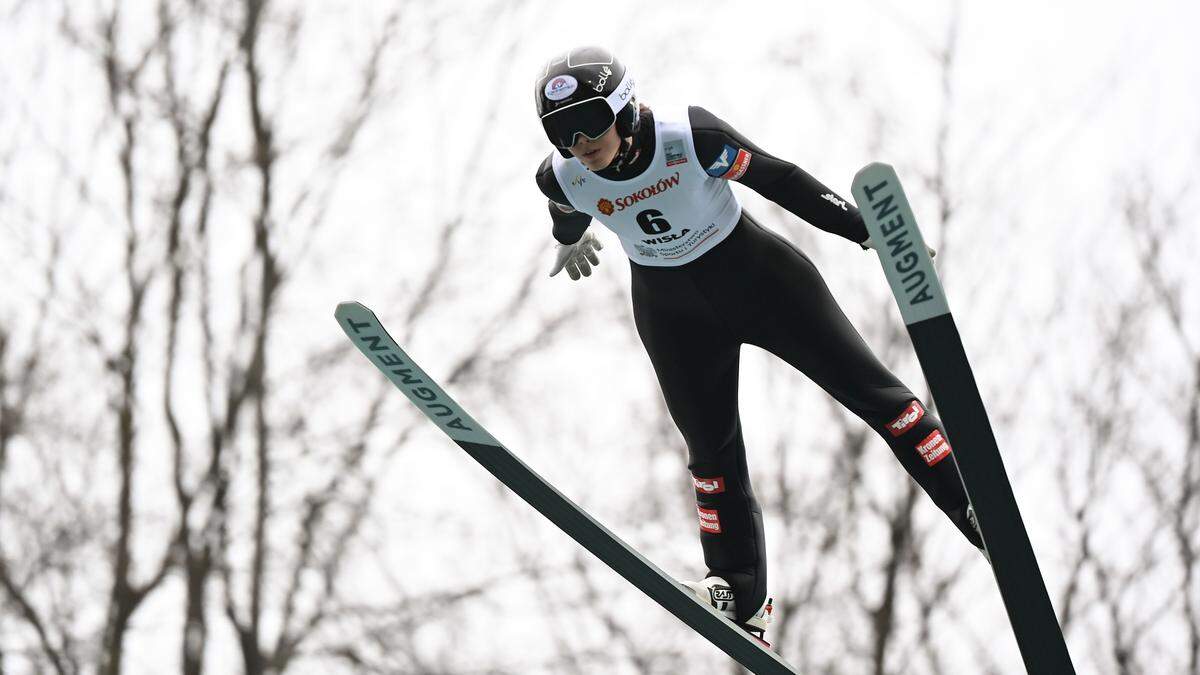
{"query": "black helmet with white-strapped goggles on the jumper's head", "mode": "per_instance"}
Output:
(585, 92)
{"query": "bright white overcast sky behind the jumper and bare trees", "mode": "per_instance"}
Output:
(1054, 107)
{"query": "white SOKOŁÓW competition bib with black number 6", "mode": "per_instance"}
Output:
(669, 216)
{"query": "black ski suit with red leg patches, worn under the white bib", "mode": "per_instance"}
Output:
(758, 289)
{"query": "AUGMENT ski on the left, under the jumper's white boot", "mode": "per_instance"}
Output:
(369, 336)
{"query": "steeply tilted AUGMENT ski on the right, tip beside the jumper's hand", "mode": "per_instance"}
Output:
(939, 347)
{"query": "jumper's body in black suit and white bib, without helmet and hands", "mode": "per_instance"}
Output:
(707, 279)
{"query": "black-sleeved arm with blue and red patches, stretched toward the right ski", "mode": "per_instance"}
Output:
(727, 154)
